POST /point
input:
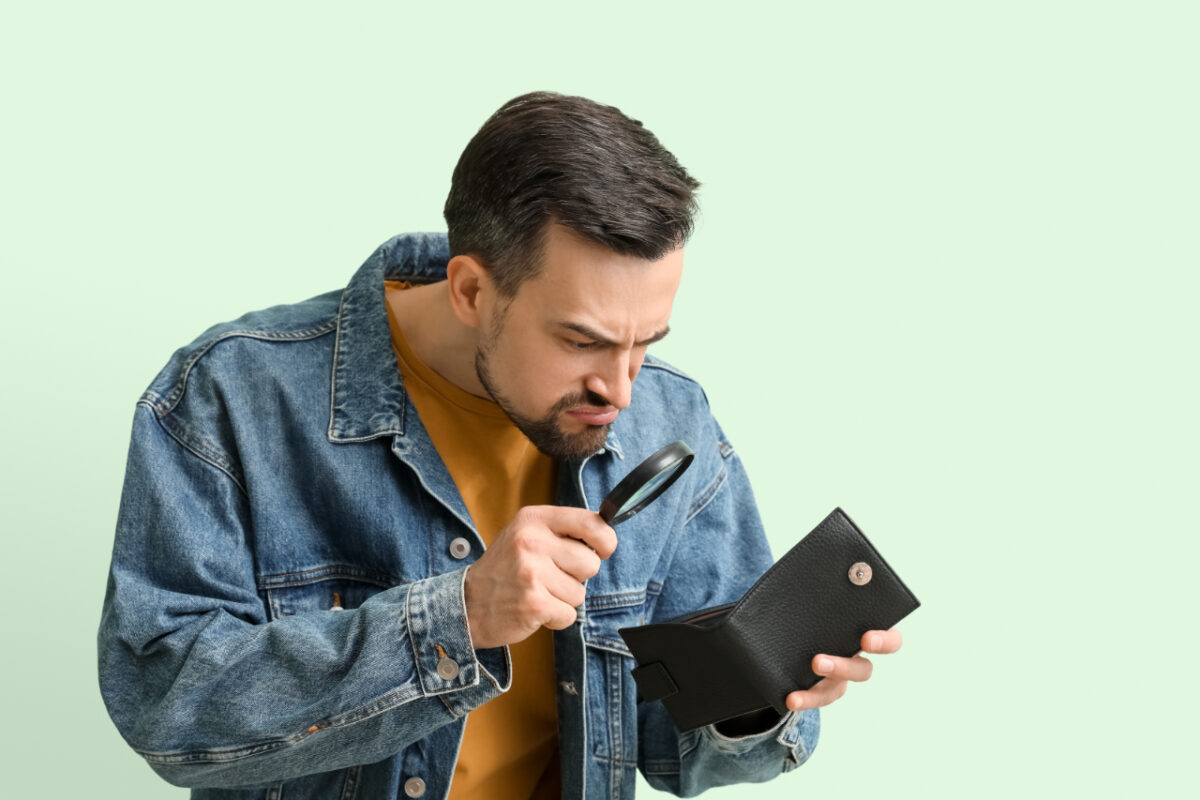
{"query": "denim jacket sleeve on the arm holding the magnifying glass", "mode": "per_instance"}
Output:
(212, 693)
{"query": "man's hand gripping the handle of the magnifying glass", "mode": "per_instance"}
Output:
(533, 574)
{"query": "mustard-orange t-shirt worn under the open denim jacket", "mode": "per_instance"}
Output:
(511, 745)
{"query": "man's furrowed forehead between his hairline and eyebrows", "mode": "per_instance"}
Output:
(584, 281)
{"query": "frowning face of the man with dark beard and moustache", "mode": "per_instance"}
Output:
(562, 356)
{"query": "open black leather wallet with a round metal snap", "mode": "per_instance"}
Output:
(722, 663)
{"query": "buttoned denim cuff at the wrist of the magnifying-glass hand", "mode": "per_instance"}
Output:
(447, 663)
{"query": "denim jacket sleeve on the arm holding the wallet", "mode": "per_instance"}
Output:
(724, 545)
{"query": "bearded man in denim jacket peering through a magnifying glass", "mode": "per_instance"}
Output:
(301, 601)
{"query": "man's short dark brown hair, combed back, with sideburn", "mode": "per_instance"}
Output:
(545, 158)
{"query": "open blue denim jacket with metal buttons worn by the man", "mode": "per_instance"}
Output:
(278, 461)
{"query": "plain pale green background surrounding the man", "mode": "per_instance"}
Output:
(945, 278)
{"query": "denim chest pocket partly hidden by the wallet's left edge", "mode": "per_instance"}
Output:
(611, 695)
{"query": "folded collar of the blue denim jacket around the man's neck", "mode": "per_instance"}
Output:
(368, 395)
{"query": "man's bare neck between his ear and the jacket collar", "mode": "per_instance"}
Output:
(436, 335)
